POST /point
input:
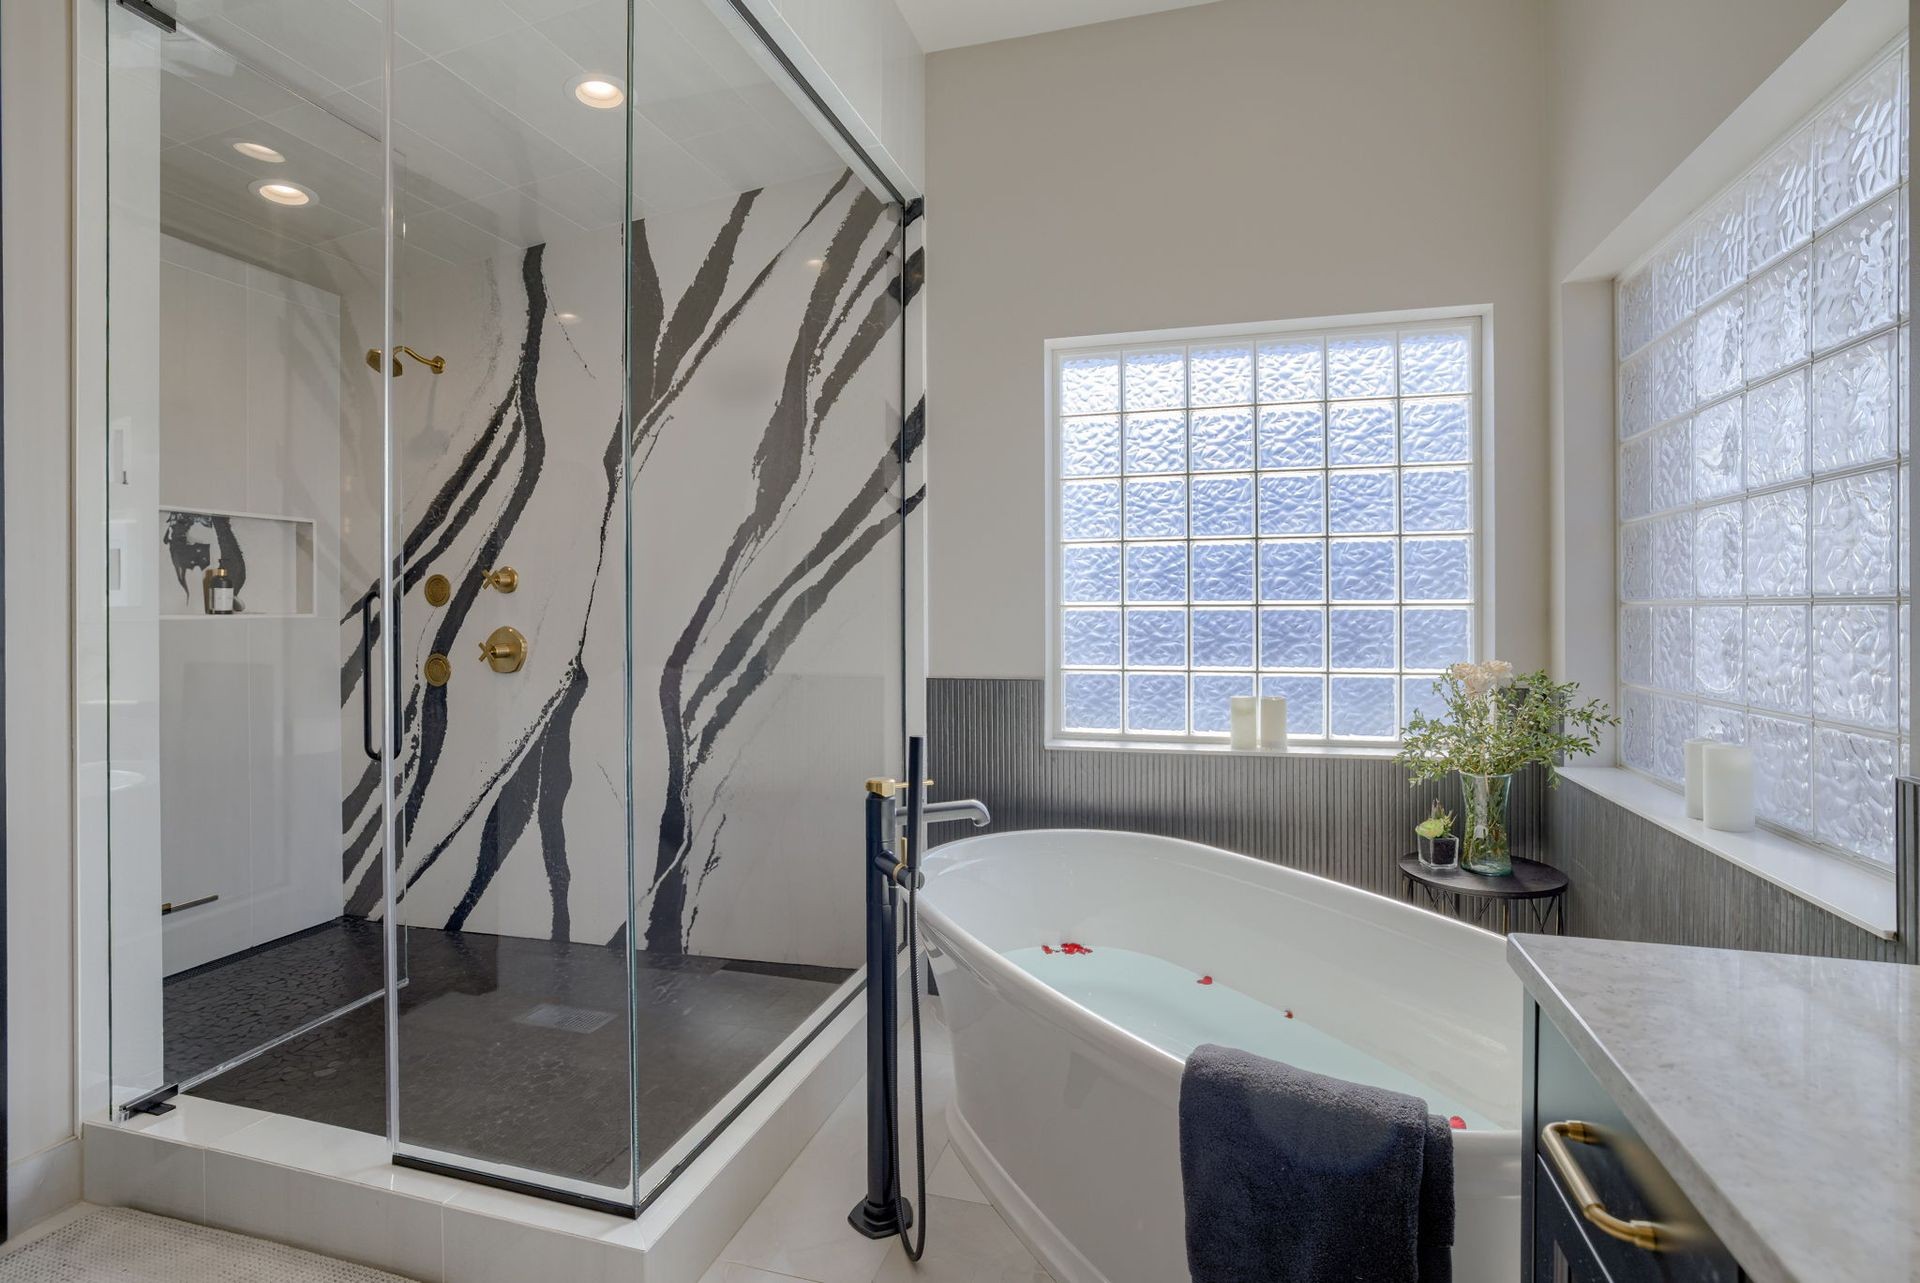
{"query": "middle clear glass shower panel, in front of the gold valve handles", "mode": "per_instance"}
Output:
(508, 504)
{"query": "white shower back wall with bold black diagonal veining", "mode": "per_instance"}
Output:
(767, 581)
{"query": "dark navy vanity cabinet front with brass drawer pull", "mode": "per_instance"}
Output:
(1643, 1230)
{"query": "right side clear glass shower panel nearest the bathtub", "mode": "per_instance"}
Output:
(773, 625)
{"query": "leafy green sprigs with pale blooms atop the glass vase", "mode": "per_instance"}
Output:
(1497, 723)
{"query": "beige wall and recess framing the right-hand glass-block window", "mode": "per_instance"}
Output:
(1654, 109)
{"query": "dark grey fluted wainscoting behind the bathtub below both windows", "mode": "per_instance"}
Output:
(1351, 819)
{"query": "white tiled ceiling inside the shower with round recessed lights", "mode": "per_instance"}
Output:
(492, 153)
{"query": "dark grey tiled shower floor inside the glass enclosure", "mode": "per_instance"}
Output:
(479, 1078)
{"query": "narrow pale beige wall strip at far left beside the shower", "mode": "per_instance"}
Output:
(43, 1157)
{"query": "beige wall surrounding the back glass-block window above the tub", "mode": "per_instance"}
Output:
(1237, 162)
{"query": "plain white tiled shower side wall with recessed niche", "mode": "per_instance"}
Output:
(251, 422)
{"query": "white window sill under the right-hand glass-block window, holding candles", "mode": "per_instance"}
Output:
(1852, 890)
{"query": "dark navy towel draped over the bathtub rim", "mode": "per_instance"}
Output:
(1301, 1178)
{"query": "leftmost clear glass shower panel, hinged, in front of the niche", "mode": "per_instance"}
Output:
(222, 441)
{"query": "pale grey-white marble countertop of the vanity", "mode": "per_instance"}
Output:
(1781, 1092)
